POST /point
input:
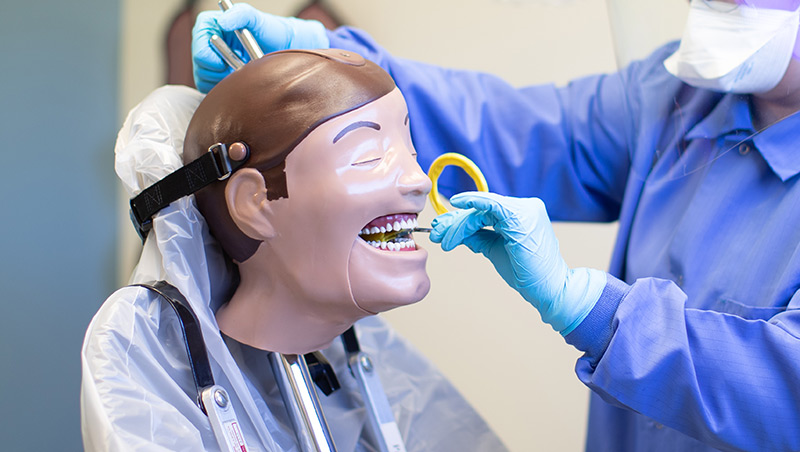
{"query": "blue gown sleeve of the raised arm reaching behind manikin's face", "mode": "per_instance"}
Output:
(568, 145)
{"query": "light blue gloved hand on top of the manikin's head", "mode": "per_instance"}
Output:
(272, 33)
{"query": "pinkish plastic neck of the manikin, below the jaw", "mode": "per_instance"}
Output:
(266, 314)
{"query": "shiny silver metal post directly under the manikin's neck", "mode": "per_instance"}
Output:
(300, 397)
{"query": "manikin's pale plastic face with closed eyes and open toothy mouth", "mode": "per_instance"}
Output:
(354, 172)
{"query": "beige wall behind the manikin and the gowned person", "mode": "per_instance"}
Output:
(514, 369)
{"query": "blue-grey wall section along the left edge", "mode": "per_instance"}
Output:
(59, 104)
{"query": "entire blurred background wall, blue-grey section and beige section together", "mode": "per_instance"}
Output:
(72, 70)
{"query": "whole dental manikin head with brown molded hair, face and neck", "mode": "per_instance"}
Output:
(331, 156)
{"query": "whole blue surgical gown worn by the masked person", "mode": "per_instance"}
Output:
(693, 344)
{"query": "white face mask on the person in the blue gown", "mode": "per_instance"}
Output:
(735, 49)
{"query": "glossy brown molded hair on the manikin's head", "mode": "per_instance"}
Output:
(272, 104)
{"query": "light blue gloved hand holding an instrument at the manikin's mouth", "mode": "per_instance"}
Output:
(524, 250)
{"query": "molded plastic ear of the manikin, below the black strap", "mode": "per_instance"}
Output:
(246, 196)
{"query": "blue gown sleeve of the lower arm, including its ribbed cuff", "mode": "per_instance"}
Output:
(726, 380)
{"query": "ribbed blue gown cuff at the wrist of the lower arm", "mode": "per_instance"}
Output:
(594, 333)
